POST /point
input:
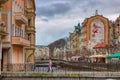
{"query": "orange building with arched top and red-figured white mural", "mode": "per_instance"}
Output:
(95, 30)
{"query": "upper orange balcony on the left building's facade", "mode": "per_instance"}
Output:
(19, 17)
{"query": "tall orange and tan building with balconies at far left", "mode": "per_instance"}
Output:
(19, 19)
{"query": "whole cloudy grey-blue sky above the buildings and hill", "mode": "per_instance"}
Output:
(56, 18)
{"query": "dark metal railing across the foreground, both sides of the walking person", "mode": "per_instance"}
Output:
(62, 67)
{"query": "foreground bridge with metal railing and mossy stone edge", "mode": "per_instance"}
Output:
(61, 70)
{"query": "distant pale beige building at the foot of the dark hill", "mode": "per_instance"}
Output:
(42, 52)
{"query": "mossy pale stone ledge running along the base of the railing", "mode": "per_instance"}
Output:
(62, 74)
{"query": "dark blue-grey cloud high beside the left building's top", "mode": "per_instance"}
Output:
(53, 9)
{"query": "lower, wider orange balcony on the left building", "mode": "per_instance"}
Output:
(20, 41)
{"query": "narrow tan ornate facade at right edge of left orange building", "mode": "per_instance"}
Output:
(30, 29)
